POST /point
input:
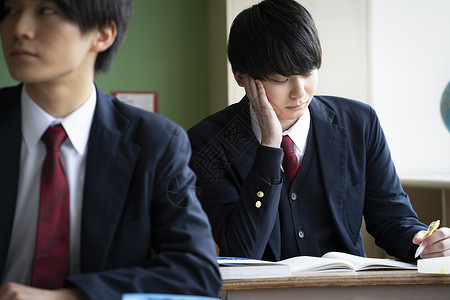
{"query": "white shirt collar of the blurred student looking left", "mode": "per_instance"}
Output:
(35, 121)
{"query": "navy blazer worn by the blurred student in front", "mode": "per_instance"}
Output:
(139, 198)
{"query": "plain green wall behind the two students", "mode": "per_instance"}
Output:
(164, 51)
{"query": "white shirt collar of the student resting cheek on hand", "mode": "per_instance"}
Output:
(298, 132)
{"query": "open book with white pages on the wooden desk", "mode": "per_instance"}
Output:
(239, 268)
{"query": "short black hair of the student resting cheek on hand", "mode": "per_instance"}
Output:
(274, 37)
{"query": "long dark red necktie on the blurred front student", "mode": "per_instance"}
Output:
(52, 253)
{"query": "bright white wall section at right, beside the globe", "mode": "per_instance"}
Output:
(410, 47)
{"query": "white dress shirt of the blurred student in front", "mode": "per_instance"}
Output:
(35, 122)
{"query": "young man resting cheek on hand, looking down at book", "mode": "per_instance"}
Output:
(336, 168)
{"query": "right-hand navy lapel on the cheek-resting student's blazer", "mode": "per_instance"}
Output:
(332, 153)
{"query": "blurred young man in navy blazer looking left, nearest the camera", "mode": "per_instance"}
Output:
(110, 207)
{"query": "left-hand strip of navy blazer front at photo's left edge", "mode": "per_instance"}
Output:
(11, 135)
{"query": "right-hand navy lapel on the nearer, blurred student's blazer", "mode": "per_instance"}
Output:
(110, 162)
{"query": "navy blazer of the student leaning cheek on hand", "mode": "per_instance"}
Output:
(358, 175)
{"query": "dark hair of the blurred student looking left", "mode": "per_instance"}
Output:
(96, 14)
